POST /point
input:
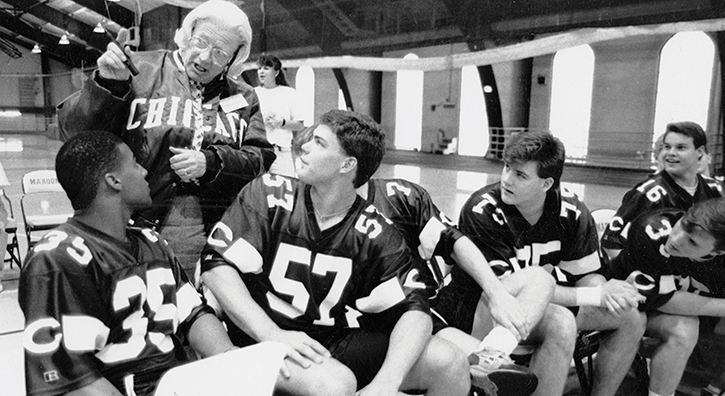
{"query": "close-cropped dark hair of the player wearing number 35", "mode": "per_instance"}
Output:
(81, 163)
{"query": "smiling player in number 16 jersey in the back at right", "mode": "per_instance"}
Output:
(678, 185)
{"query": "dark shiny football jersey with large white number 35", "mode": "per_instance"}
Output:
(98, 307)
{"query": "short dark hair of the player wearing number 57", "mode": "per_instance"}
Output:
(361, 137)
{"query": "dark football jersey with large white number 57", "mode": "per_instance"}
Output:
(311, 280)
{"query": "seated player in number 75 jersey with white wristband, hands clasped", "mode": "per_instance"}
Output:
(528, 220)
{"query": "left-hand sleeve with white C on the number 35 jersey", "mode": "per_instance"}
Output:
(61, 305)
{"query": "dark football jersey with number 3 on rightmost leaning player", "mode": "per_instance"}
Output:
(658, 275)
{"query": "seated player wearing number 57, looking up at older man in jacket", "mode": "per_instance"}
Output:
(306, 262)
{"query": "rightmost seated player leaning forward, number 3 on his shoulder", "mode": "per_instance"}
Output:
(673, 257)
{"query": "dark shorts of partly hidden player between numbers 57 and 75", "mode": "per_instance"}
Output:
(454, 307)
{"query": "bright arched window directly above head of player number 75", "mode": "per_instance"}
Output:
(571, 98)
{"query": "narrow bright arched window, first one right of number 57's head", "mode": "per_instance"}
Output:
(409, 108)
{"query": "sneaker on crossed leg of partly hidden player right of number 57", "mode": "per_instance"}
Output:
(493, 373)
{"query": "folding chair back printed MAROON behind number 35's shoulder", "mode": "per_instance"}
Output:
(44, 204)
